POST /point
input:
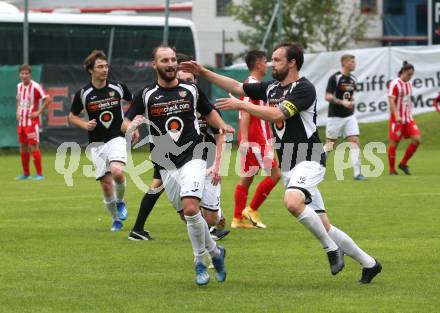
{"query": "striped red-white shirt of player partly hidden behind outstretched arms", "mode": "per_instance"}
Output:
(258, 130)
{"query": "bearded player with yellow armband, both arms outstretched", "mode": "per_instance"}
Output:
(292, 111)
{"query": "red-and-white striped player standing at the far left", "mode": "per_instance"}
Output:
(29, 96)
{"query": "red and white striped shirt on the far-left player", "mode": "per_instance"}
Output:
(29, 98)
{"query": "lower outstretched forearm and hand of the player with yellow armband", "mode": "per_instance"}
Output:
(266, 113)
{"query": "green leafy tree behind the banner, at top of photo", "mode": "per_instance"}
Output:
(316, 24)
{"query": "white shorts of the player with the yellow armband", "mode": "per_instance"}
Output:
(305, 177)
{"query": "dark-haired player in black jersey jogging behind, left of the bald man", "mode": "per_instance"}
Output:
(101, 100)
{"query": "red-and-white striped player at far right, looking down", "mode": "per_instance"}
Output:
(402, 124)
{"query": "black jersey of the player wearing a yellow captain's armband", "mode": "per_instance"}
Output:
(297, 137)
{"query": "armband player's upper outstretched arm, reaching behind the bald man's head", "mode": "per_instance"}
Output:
(223, 82)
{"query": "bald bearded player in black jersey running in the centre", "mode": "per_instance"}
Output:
(170, 107)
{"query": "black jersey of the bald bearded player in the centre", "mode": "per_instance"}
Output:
(173, 125)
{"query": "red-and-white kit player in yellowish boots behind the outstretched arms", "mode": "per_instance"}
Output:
(255, 142)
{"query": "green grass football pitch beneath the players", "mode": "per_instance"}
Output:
(58, 255)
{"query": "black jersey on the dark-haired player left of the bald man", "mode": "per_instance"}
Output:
(103, 105)
